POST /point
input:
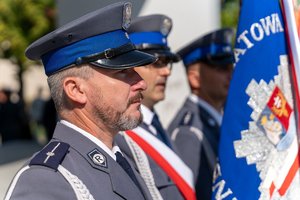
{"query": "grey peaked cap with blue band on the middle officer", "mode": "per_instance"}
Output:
(149, 34)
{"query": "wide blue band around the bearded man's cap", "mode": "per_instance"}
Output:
(59, 58)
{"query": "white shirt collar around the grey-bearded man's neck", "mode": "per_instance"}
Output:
(98, 142)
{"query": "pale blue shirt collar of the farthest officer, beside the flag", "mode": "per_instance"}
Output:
(211, 110)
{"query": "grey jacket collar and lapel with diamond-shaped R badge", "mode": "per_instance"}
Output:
(120, 181)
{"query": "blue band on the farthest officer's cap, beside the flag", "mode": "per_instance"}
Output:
(200, 53)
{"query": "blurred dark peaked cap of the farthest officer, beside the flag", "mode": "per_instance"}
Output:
(214, 48)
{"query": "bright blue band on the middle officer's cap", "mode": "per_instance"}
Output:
(148, 38)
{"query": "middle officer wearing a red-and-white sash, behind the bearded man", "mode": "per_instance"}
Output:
(149, 34)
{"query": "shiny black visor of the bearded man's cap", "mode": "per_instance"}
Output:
(130, 59)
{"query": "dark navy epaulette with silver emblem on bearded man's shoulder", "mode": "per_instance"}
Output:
(51, 155)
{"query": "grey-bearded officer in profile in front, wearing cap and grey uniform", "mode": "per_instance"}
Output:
(97, 93)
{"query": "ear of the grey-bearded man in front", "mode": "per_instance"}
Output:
(73, 87)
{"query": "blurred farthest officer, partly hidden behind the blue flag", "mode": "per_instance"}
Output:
(196, 127)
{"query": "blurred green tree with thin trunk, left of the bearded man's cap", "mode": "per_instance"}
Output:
(22, 22)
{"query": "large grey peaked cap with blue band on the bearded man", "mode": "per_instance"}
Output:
(99, 38)
